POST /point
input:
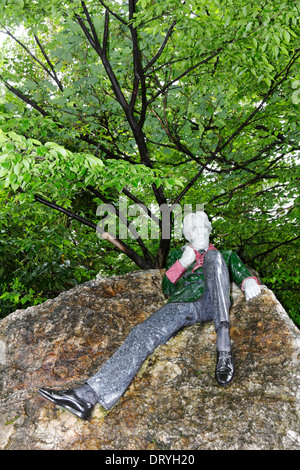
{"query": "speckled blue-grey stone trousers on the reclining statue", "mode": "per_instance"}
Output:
(111, 381)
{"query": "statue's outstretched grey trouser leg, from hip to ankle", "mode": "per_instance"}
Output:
(115, 375)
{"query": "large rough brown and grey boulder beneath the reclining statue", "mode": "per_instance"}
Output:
(174, 402)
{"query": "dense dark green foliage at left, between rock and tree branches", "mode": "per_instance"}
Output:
(43, 254)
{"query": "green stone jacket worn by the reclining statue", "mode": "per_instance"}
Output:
(190, 285)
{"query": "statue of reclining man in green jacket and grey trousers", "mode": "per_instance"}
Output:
(197, 282)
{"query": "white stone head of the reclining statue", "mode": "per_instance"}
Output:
(197, 229)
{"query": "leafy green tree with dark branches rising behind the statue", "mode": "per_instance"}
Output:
(168, 102)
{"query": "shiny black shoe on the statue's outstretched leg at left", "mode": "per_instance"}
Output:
(69, 400)
